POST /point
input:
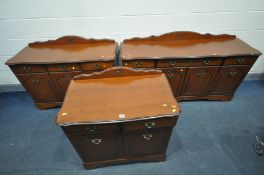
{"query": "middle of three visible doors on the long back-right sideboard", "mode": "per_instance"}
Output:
(198, 80)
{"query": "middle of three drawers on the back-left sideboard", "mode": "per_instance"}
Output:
(63, 67)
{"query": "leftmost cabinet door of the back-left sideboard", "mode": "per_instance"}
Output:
(40, 87)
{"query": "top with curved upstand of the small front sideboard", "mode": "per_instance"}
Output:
(117, 94)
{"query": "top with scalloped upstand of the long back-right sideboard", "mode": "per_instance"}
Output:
(185, 45)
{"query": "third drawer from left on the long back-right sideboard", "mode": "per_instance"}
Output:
(205, 62)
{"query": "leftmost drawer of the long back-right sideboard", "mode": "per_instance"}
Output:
(139, 63)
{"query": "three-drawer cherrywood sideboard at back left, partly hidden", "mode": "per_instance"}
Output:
(45, 69)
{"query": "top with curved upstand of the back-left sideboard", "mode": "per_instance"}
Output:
(66, 49)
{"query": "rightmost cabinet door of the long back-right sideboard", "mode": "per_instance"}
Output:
(228, 79)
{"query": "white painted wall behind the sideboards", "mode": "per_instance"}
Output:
(26, 21)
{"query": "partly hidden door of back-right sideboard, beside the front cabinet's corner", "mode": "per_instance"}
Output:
(175, 77)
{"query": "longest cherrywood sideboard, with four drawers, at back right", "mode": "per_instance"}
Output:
(198, 66)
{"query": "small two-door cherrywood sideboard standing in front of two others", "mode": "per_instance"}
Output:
(119, 115)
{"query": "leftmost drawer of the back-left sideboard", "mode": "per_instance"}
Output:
(27, 68)
